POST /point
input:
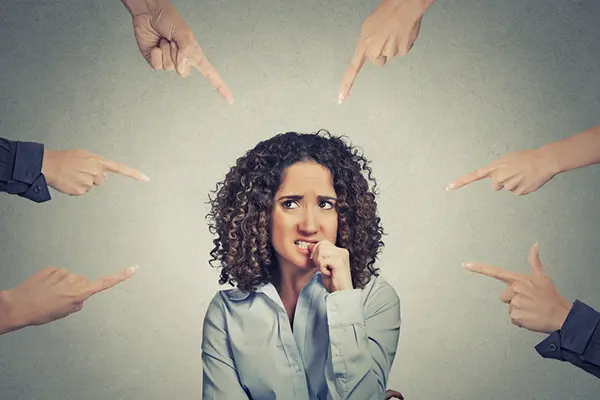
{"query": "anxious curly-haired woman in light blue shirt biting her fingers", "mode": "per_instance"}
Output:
(297, 233)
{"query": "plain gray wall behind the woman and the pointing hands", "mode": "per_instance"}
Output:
(484, 79)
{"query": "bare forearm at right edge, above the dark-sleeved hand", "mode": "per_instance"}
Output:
(574, 152)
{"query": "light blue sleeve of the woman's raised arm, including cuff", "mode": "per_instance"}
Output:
(363, 341)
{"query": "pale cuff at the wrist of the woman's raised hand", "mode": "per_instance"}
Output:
(345, 308)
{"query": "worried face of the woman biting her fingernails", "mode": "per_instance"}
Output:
(304, 212)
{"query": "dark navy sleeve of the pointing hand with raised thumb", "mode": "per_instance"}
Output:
(578, 341)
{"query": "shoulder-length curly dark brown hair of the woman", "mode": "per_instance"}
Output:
(241, 210)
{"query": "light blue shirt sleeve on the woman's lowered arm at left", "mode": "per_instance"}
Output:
(219, 378)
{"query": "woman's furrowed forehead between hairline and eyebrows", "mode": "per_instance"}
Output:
(307, 176)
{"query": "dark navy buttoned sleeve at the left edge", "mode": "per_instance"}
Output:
(21, 170)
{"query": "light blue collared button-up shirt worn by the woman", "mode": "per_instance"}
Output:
(342, 345)
